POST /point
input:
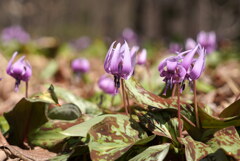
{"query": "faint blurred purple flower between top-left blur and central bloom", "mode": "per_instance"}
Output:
(81, 43)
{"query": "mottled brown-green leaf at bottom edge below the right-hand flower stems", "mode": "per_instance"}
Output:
(195, 150)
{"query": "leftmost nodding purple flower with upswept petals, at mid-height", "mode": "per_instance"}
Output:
(21, 70)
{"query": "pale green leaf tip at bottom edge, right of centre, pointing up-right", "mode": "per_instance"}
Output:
(153, 153)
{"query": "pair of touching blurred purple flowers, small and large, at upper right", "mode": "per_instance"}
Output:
(206, 39)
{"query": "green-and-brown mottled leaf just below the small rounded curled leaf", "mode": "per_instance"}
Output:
(48, 135)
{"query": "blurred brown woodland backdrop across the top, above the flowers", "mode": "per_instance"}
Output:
(150, 19)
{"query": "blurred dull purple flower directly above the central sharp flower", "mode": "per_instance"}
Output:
(130, 36)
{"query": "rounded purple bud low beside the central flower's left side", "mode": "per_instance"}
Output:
(107, 85)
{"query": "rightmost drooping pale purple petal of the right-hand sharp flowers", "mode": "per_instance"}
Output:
(198, 66)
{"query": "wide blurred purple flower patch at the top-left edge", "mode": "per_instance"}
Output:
(15, 33)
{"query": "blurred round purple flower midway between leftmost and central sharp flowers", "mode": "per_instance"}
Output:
(80, 65)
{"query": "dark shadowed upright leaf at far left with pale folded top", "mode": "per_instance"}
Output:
(26, 116)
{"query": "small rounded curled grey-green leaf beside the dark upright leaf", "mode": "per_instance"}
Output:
(67, 111)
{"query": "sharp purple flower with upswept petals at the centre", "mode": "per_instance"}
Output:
(120, 62)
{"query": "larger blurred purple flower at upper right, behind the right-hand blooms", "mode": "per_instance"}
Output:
(208, 41)
